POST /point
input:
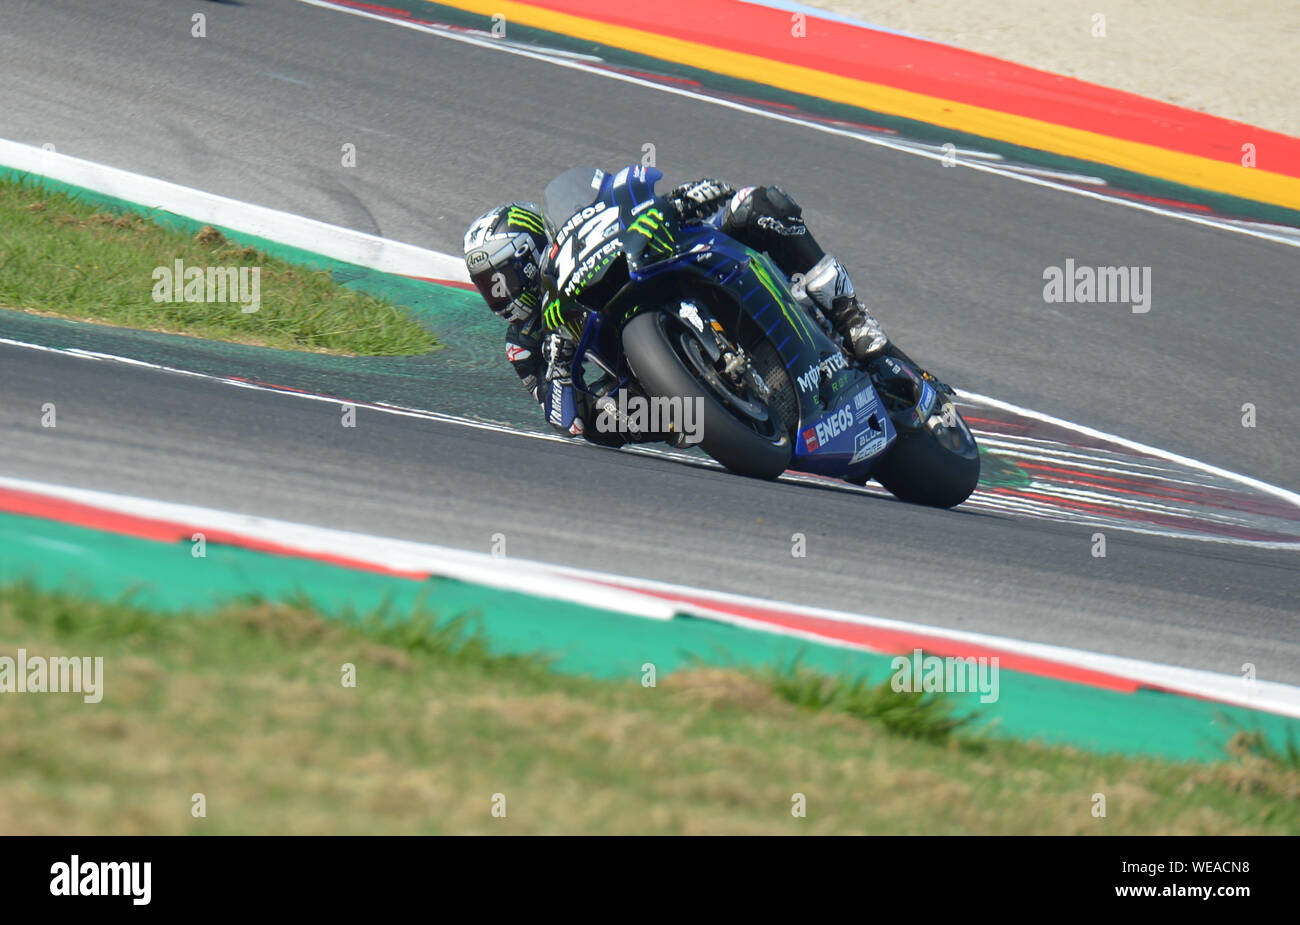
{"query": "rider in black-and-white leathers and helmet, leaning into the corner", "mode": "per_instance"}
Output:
(505, 249)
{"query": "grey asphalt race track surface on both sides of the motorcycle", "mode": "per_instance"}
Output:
(952, 260)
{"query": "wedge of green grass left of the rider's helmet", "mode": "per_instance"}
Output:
(67, 258)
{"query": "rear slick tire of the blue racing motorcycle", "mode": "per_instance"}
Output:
(937, 466)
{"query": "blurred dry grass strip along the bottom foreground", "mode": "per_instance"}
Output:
(246, 706)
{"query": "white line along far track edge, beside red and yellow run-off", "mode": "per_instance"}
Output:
(538, 55)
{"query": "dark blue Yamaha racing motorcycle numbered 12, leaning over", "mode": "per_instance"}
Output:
(681, 311)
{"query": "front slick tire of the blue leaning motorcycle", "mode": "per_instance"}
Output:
(669, 362)
